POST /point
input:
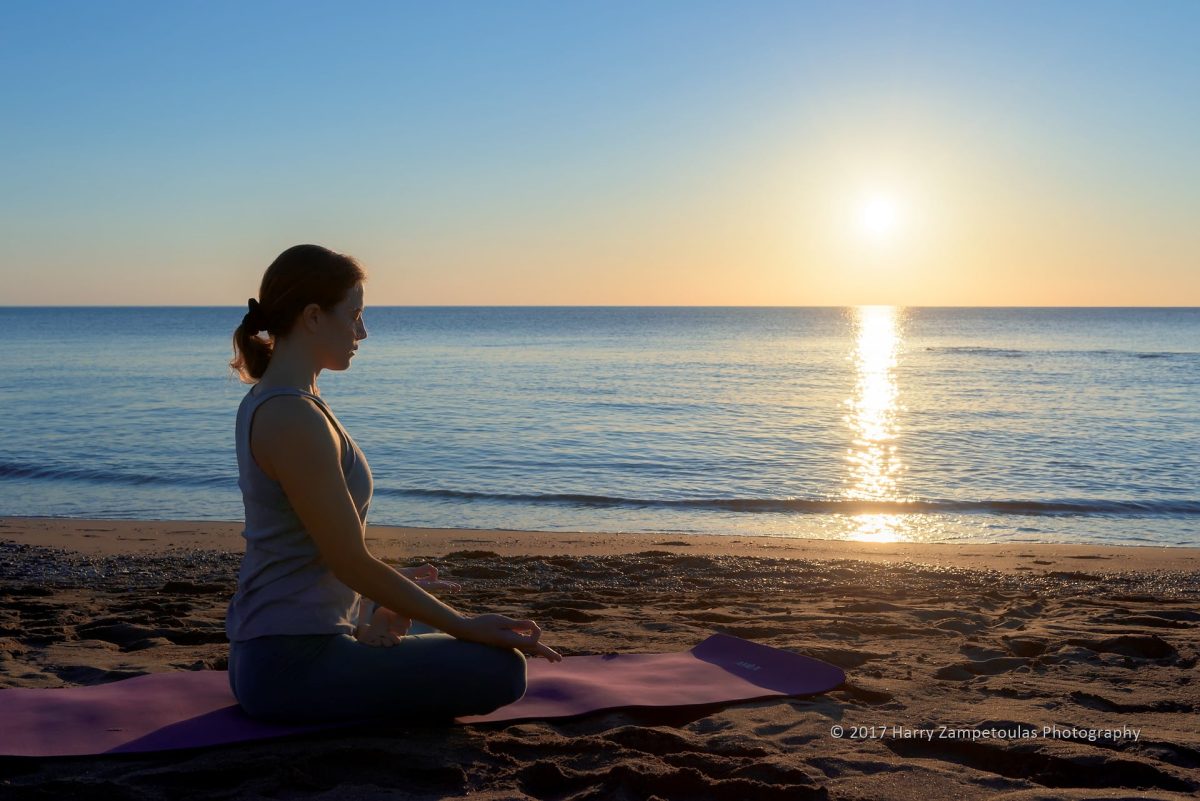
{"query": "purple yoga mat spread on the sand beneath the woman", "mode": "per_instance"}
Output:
(195, 708)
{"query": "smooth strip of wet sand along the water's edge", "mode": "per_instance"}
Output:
(107, 538)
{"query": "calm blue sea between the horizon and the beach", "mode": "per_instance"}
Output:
(884, 424)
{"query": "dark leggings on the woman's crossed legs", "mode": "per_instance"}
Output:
(299, 678)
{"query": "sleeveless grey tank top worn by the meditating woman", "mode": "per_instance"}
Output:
(284, 585)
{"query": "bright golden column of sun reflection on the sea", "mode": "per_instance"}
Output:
(875, 465)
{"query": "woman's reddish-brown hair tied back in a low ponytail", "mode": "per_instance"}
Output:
(302, 275)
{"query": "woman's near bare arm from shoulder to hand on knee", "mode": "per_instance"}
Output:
(297, 445)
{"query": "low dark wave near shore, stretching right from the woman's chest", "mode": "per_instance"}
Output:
(836, 507)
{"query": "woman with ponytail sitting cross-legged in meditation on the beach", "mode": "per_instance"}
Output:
(307, 486)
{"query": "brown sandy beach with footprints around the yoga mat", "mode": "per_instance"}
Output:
(955, 655)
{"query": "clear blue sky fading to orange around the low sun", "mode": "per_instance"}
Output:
(605, 154)
